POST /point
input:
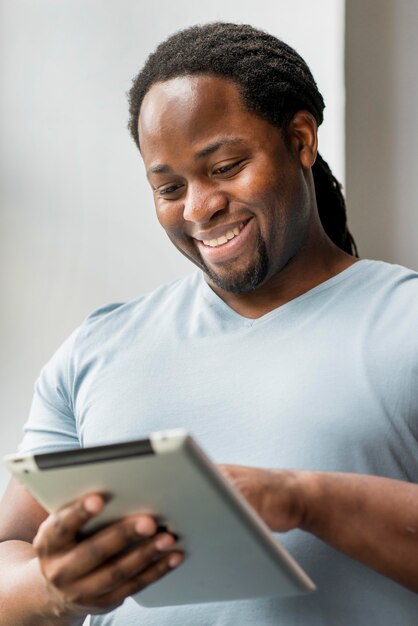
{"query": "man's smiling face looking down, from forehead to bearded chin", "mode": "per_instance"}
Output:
(229, 192)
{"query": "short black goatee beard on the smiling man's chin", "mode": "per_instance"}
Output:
(242, 281)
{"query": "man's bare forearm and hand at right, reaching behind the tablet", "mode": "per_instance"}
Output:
(371, 519)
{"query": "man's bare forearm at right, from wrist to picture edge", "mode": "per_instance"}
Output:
(371, 519)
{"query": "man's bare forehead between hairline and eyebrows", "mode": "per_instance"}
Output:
(187, 118)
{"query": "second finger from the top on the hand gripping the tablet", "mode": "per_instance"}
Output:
(94, 551)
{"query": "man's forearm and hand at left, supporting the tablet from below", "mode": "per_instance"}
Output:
(50, 578)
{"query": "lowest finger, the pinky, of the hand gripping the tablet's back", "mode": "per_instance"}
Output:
(153, 572)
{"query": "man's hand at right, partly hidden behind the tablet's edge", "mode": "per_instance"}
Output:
(274, 494)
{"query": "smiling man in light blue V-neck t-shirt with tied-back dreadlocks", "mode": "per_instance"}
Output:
(282, 351)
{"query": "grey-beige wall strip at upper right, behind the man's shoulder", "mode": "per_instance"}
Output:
(382, 128)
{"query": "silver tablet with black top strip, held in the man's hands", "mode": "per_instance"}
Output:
(230, 553)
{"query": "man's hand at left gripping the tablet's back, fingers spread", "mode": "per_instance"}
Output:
(96, 574)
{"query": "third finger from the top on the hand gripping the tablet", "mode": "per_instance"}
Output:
(120, 570)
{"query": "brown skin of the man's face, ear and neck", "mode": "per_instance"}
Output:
(213, 165)
